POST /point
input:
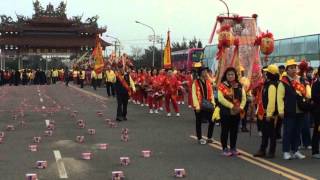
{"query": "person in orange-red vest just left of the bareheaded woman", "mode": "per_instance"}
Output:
(202, 91)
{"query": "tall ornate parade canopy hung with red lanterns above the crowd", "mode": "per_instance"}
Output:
(239, 44)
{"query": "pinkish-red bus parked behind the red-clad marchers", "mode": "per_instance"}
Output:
(184, 59)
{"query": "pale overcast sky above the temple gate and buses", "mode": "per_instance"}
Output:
(184, 18)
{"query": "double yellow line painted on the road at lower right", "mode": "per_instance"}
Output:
(273, 167)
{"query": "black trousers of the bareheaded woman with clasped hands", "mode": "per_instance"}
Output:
(229, 126)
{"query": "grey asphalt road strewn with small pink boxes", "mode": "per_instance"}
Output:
(169, 139)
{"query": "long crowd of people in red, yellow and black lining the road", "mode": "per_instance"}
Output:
(285, 104)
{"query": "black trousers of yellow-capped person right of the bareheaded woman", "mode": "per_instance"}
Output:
(268, 135)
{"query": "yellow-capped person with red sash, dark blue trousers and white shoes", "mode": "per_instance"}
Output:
(292, 94)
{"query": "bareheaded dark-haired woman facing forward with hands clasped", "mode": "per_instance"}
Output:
(231, 101)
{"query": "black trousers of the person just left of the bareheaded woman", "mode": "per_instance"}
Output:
(204, 116)
